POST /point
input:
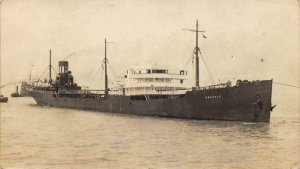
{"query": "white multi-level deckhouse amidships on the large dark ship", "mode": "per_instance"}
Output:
(152, 80)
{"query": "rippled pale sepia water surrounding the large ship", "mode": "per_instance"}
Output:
(38, 137)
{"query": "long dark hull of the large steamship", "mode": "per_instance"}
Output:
(250, 102)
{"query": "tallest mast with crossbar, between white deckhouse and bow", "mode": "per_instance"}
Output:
(197, 51)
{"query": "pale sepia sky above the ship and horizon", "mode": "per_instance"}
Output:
(249, 39)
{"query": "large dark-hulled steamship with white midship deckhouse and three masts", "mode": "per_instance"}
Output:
(154, 91)
